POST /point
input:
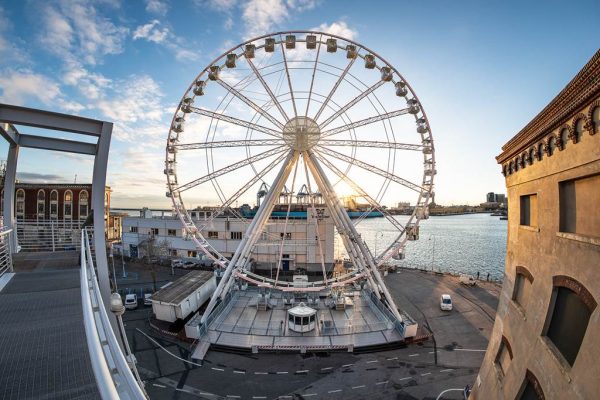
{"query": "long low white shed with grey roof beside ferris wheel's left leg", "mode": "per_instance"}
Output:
(184, 296)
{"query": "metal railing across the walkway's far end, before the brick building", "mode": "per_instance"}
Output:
(48, 235)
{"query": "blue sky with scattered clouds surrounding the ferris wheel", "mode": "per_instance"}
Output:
(482, 71)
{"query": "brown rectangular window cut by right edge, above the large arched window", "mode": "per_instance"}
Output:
(578, 204)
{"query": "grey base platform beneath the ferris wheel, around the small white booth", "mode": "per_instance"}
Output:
(241, 326)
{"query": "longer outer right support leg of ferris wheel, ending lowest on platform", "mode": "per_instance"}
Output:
(371, 263)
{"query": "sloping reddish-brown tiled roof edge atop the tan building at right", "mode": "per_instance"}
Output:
(579, 91)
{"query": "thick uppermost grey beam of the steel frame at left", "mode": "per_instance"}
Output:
(49, 120)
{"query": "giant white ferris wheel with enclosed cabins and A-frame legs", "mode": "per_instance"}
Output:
(309, 114)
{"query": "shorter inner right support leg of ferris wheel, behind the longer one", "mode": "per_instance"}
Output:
(337, 213)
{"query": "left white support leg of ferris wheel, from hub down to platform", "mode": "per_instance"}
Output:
(252, 233)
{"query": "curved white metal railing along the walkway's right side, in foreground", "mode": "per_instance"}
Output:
(114, 377)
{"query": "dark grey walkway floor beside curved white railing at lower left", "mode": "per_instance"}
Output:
(43, 350)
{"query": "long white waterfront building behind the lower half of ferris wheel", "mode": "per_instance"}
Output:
(299, 238)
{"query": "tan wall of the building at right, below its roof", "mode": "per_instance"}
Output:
(547, 253)
